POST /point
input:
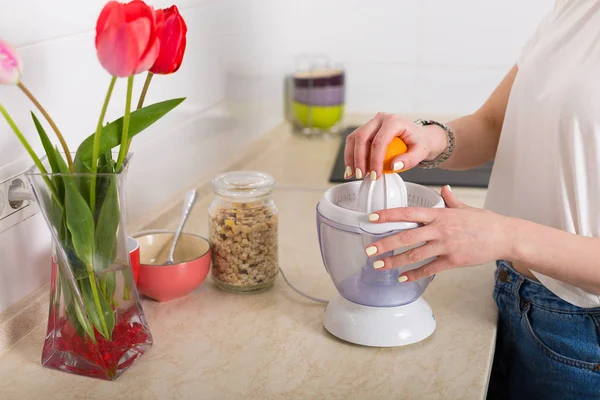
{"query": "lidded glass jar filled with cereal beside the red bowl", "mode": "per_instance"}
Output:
(243, 226)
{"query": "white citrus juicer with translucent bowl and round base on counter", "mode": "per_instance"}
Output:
(372, 307)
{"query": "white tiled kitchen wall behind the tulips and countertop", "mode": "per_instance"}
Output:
(439, 56)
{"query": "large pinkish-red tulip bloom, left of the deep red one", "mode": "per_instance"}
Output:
(127, 37)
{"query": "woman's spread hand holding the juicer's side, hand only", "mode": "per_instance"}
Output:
(457, 236)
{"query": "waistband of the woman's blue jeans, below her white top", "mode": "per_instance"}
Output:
(526, 289)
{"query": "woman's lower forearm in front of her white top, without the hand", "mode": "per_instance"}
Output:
(561, 255)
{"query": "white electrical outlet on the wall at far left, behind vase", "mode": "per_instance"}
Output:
(14, 211)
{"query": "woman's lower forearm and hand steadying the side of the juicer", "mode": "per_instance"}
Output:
(463, 236)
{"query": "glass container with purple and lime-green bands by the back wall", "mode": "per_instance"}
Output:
(315, 97)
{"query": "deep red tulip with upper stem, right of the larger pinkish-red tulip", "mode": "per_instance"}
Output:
(173, 32)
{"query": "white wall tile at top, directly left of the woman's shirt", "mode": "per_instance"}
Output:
(478, 33)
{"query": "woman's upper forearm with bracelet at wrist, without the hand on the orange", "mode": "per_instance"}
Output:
(476, 135)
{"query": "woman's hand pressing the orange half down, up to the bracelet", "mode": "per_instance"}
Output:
(373, 138)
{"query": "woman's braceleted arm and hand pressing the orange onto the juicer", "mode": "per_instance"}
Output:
(476, 138)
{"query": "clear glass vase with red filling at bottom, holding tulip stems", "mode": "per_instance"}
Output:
(96, 324)
